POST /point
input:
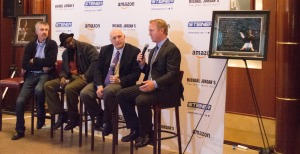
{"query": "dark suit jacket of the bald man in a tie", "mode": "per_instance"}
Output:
(129, 71)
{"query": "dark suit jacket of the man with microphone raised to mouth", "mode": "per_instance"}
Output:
(165, 71)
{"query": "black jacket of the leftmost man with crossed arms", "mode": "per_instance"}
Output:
(50, 52)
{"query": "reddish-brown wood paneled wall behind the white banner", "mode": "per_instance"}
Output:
(239, 98)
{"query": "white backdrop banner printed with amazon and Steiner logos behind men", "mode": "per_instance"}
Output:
(189, 28)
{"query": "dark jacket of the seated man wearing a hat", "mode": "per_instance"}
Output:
(87, 55)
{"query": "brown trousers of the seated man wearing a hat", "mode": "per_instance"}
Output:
(72, 90)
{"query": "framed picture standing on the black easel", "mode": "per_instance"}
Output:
(239, 35)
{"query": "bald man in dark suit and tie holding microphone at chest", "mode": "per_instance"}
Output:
(119, 59)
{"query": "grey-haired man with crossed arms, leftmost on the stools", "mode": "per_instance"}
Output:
(38, 61)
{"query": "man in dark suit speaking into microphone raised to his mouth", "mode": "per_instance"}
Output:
(160, 84)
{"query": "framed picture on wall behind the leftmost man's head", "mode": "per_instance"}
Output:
(25, 28)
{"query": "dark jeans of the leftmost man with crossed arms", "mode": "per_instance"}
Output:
(33, 85)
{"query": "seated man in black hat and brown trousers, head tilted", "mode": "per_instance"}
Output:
(79, 60)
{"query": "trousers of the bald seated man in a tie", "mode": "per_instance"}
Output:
(88, 96)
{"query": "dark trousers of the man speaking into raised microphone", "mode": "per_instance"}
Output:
(130, 97)
